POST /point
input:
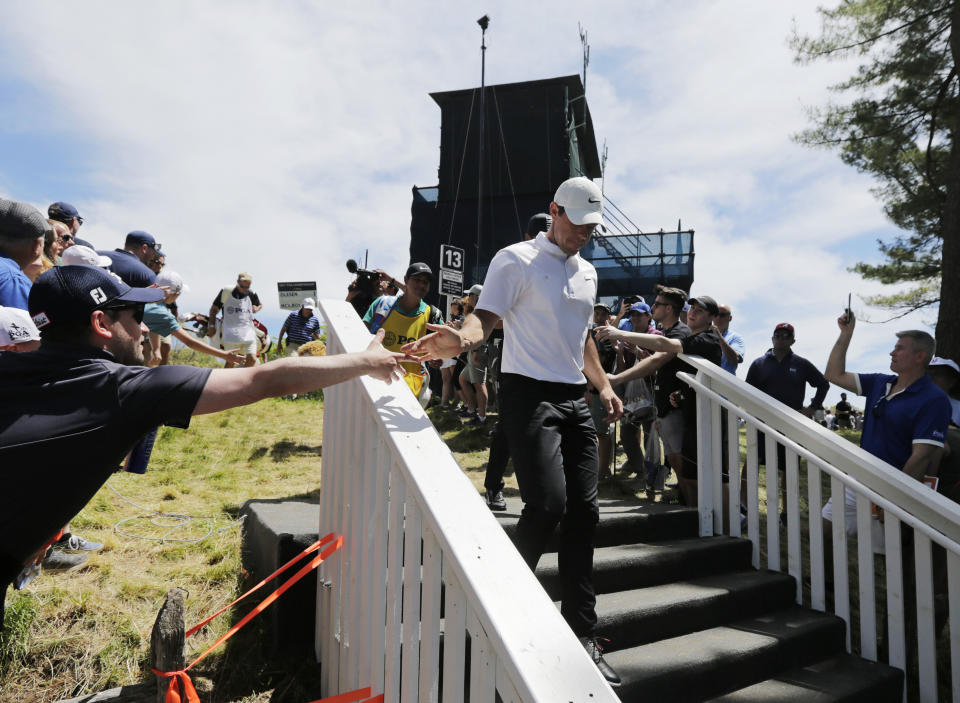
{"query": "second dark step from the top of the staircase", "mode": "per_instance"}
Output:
(629, 566)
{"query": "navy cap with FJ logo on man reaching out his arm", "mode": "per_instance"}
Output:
(68, 294)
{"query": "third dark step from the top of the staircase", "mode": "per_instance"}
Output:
(642, 615)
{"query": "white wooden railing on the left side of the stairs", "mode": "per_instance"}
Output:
(424, 564)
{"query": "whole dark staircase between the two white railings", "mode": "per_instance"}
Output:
(689, 619)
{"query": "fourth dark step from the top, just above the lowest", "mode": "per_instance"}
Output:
(699, 665)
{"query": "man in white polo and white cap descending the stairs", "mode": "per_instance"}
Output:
(544, 293)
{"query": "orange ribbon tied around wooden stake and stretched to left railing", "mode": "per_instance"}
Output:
(180, 680)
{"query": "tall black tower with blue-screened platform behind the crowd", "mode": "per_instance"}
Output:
(536, 135)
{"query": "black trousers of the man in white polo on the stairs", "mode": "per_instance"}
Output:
(553, 443)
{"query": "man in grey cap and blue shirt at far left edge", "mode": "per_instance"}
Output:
(22, 229)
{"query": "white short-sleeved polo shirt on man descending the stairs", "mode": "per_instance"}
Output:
(545, 299)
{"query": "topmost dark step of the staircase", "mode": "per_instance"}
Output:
(622, 522)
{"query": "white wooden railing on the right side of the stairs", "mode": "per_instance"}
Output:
(929, 519)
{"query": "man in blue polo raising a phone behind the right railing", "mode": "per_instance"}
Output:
(906, 414)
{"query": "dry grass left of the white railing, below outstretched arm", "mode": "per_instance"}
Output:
(87, 631)
